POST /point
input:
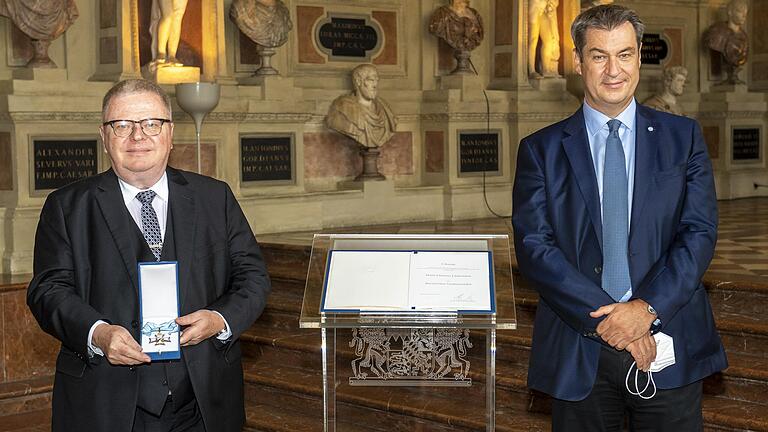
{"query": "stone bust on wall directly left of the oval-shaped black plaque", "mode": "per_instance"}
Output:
(265, 22)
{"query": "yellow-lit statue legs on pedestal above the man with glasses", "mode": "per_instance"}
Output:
(165, 28)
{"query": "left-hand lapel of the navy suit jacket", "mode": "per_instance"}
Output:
(576, 146)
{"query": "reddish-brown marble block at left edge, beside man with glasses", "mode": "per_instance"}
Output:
(29, 352)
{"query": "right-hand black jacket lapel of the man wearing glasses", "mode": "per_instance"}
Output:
(182, 205)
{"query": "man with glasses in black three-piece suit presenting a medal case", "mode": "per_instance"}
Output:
(90, 237)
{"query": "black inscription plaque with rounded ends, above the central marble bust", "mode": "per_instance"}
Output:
(349, 37)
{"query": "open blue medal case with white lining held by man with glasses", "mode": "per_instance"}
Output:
(159, 299)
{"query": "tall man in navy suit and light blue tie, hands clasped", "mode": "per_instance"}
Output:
(615, 222)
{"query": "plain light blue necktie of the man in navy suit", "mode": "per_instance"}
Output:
(615, 281)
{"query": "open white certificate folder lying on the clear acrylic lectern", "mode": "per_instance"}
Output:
(409, 281)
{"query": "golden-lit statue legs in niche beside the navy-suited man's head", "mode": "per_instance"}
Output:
(542, 26)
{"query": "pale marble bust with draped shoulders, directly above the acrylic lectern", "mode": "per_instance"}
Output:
(364, 117)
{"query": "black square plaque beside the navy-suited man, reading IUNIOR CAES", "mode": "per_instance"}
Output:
(479, 152)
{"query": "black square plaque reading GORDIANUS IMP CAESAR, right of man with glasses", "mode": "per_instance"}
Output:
(266, 158)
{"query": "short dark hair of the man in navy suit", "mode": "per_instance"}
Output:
(604, 17)
